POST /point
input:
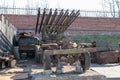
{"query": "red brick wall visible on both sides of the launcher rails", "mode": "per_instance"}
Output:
(87, 25)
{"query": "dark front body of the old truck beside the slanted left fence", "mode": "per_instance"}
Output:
(27, 46)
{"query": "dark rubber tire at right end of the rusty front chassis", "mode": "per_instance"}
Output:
(85, 61)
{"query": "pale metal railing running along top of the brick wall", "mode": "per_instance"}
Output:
(34, 11)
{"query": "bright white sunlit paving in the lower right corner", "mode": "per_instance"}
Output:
(111, 71)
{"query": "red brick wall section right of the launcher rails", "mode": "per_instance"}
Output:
(94, 23)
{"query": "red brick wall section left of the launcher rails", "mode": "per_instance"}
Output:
(22, 21)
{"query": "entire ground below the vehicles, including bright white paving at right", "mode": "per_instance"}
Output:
(25, 68)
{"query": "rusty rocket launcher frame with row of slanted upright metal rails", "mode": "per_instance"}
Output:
(53, 23)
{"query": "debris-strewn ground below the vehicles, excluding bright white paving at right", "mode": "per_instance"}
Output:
(28, 68)
